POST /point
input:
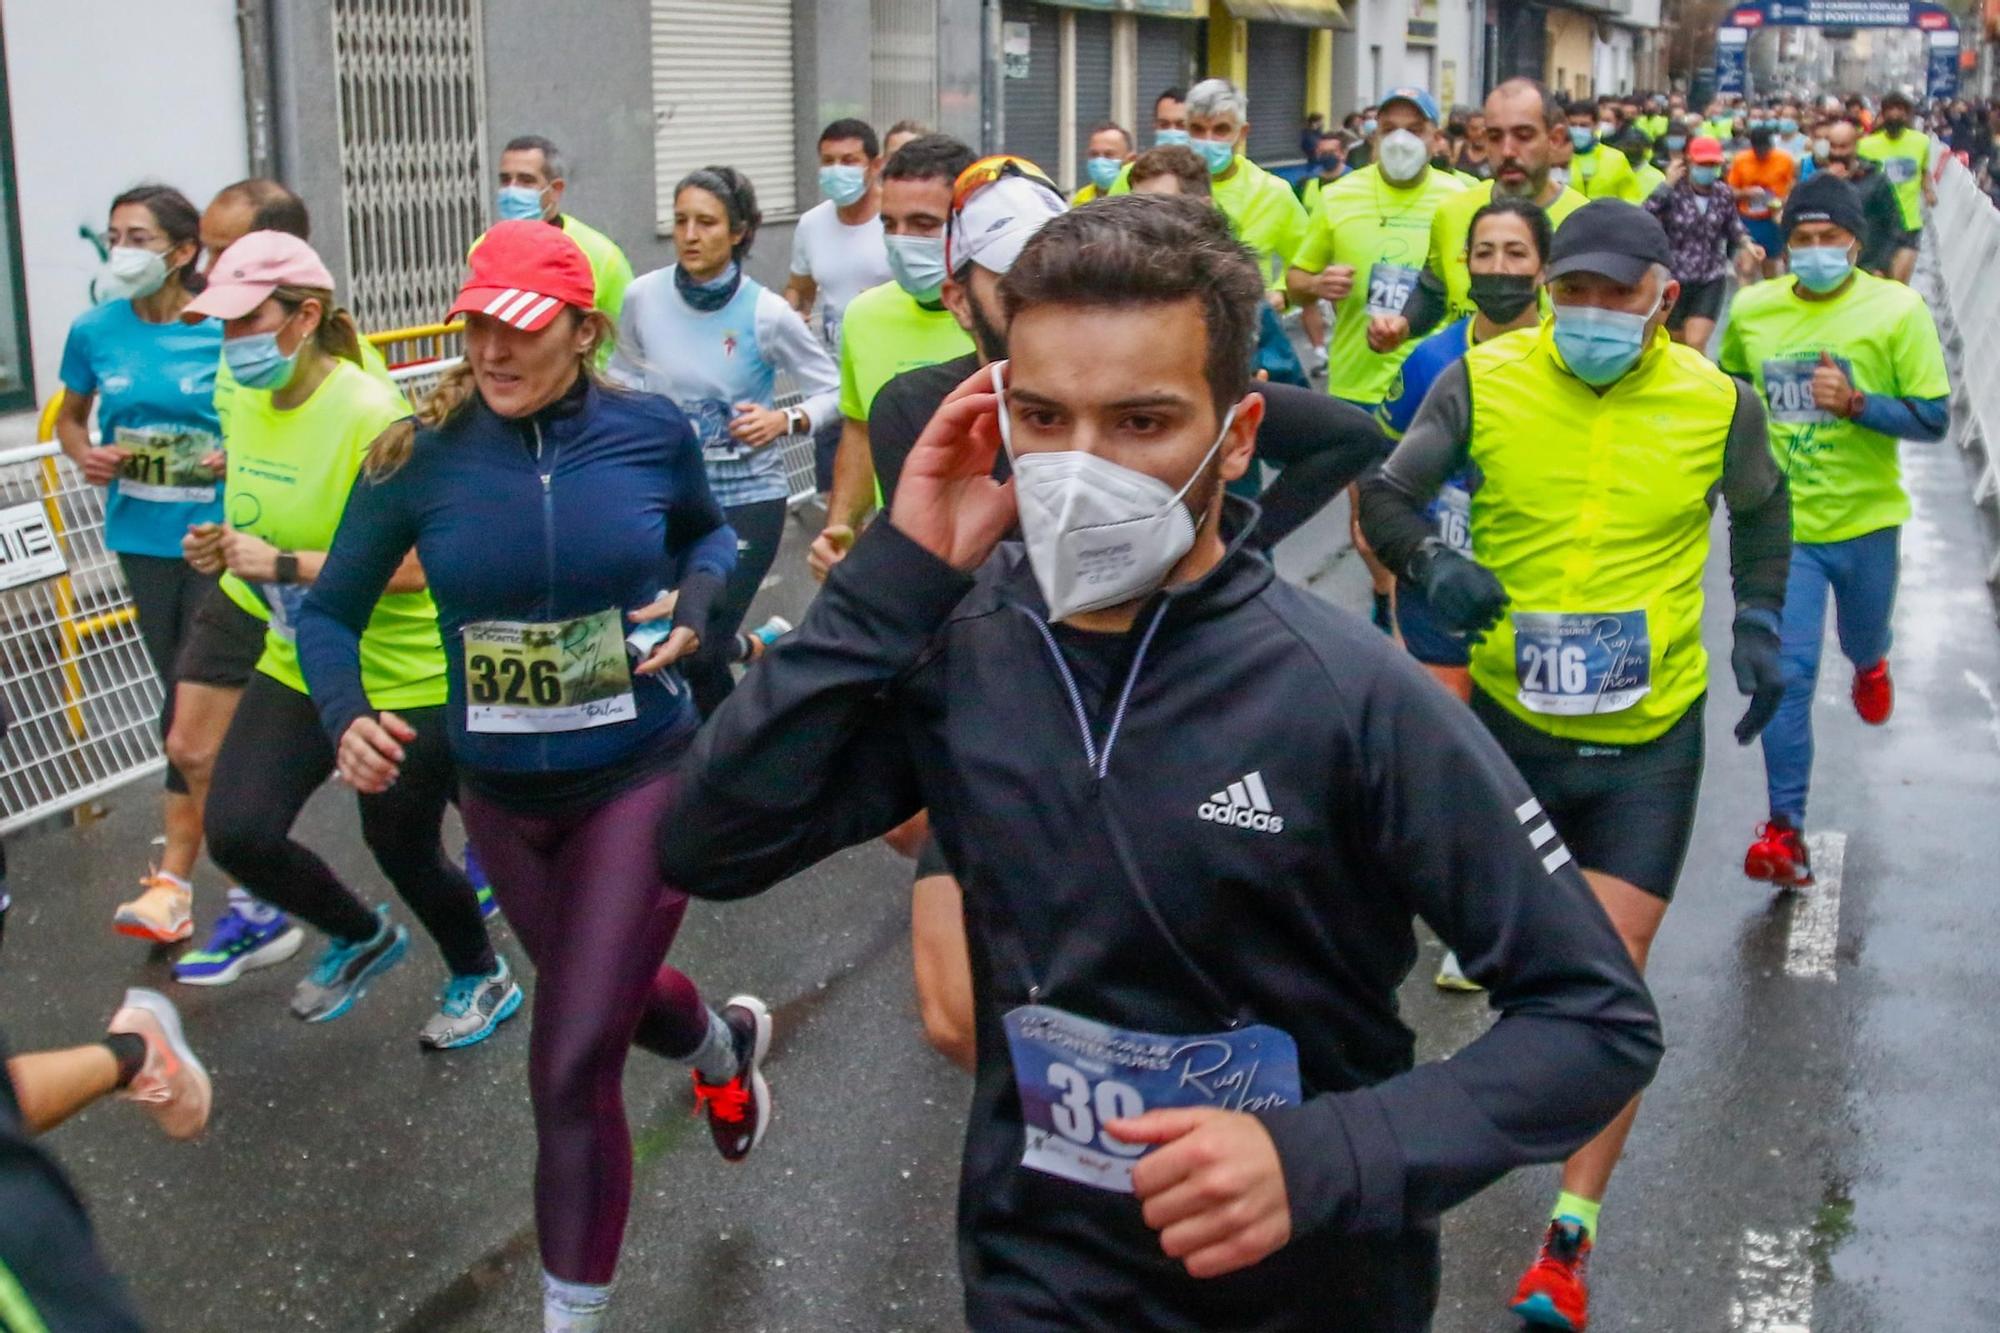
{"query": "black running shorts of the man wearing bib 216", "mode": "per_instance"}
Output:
(1623, 810)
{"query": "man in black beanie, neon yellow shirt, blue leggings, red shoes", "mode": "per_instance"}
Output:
(1849, 365)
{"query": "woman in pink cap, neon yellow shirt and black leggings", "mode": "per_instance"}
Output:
(301, 423)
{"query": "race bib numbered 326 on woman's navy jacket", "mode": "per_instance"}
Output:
(565, 676)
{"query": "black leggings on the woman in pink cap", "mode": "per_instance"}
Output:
(271, 764)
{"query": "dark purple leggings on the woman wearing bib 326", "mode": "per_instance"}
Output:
(589, 906)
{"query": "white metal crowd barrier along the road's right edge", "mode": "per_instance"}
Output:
(1963, 259)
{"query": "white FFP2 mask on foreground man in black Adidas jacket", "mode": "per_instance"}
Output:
(1097, 533)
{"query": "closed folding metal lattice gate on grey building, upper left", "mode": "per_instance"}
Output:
(413, 127)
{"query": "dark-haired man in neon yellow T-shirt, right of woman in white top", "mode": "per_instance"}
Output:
(895, 327)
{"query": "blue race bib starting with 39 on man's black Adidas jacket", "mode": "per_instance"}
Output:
(1077, 1074)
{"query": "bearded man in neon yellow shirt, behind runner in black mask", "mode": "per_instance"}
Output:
(1523, 131)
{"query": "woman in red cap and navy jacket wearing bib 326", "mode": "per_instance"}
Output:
(549, 511)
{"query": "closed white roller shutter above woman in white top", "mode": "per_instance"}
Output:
(723, 95)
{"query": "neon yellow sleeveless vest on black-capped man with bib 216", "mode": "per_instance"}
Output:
(1595, 509)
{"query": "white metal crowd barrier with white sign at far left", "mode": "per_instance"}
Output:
(73, 668)
